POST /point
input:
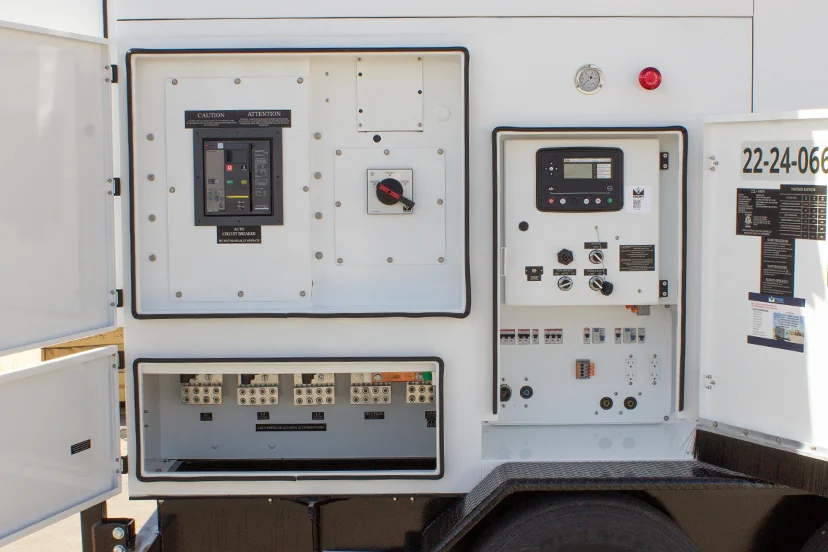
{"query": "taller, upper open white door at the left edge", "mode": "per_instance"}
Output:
(56, 212)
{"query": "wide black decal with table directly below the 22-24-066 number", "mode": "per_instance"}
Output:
(792, 211)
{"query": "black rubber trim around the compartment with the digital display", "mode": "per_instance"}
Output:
(496, 250)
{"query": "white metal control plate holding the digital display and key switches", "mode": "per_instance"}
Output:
(551, 232)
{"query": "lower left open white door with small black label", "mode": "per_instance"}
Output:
(59, 426)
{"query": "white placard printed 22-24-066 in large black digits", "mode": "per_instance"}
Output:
(791, 161)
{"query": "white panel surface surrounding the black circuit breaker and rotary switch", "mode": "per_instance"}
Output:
(181, 270)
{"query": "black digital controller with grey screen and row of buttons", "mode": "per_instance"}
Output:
(580, 179)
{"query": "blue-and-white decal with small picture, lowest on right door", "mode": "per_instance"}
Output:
(776, 322)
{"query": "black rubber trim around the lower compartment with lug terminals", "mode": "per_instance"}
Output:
(138, 425)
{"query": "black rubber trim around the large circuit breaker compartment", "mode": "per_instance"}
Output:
(130, 150)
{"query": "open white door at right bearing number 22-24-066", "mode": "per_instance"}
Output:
(764, 371)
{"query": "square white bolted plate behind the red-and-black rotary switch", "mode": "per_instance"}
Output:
(415, 239)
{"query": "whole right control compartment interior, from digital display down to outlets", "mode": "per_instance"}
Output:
(588, 318)
